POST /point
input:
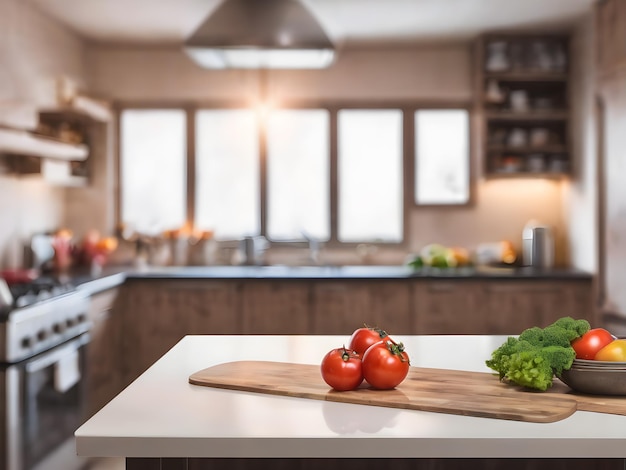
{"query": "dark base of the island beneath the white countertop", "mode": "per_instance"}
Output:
(373, 464)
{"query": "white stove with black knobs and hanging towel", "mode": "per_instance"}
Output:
(44, 334)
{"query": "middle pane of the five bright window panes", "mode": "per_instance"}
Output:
(298, 174)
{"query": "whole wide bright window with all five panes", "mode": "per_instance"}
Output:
(329, 173)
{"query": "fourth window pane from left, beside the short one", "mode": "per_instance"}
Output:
(370, 175)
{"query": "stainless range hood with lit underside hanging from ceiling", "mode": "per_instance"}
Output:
(260, 34)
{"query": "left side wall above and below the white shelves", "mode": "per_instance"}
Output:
(33, 52)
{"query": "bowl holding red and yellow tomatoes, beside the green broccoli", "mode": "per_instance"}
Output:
(600, 364)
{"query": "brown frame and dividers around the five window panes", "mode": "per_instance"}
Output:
(407, 108)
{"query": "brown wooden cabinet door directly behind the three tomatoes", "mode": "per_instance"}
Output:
(339, 307)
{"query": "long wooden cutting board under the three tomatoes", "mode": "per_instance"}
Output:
(438, 390)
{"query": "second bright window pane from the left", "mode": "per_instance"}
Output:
(227, 173)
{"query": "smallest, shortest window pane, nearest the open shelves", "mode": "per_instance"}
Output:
(442, 156)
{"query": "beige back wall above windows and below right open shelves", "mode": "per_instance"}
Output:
(431, 72)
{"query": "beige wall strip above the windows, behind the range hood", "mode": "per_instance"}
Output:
(434, 71)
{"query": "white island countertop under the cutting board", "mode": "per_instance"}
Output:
(162, 415)
